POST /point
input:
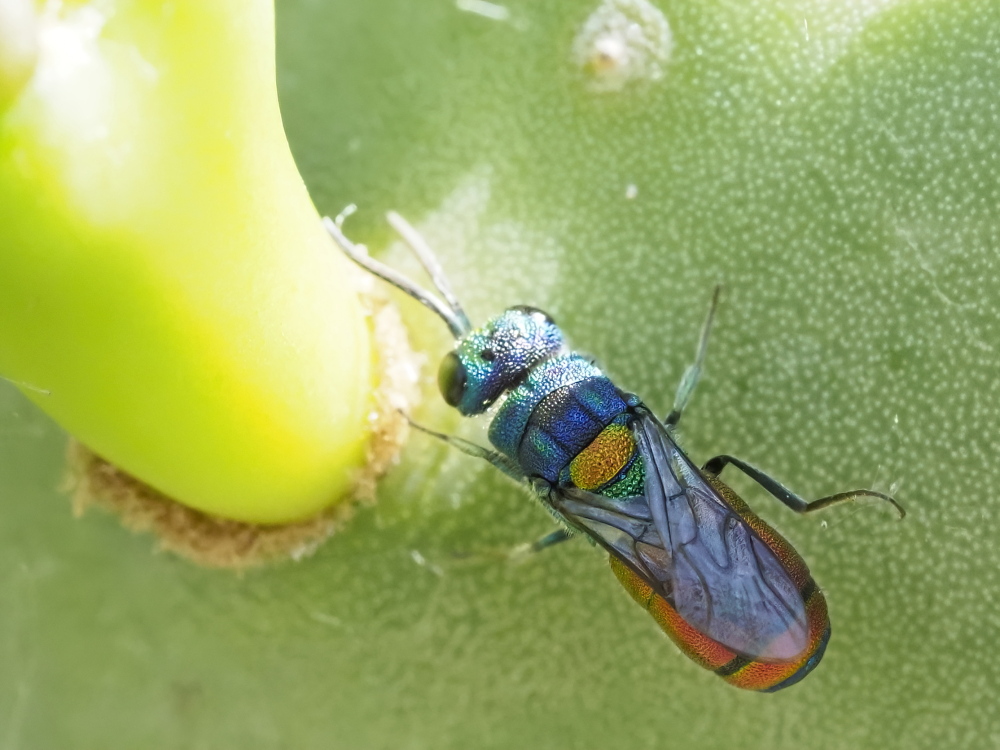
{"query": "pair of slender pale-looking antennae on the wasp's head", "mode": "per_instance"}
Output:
(450, 311)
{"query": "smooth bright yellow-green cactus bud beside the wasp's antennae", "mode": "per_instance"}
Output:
(166, 288)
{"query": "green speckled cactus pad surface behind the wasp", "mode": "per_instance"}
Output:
(835, 164)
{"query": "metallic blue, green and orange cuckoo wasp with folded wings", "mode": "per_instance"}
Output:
(727, 588)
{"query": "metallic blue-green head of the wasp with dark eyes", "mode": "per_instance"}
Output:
(497, 357)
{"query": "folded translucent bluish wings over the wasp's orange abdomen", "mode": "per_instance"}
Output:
(696, 552)
